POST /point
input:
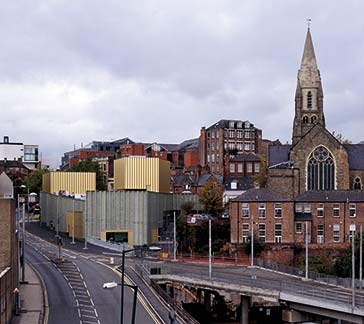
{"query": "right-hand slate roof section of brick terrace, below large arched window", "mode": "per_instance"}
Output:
(331, 195)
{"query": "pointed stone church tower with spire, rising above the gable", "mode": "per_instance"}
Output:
(309, 95)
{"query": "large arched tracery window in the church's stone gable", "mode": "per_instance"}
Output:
(320, 170)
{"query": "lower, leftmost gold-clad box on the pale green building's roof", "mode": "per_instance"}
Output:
(73, 182)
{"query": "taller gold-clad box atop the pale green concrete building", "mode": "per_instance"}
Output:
(141, 173)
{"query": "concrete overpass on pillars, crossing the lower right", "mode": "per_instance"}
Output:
(300, 298)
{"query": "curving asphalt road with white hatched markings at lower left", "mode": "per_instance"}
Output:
(75, 290)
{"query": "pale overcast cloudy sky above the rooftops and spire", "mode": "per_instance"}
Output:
(157, 71)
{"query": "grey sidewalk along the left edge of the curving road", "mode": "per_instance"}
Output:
(31, 299)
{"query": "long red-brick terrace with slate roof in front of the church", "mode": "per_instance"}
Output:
(331, 217)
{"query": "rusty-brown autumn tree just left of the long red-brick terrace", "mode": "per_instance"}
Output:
(211, 197)
